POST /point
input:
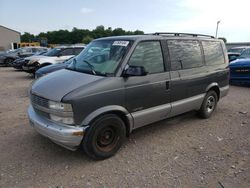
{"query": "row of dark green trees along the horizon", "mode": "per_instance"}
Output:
(76, 35)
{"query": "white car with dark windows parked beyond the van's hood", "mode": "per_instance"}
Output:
(56, 55)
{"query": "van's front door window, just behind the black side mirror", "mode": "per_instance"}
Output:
(149, 55)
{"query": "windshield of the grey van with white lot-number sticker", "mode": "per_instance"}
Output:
(100, 57)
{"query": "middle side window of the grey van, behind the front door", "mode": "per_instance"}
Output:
(184, 54)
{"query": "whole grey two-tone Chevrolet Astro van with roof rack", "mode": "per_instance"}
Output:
(118, 84)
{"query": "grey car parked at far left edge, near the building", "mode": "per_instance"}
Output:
(8, 57)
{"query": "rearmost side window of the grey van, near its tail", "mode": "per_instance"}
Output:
(213, 52)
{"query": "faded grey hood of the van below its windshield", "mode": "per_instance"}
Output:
(55, 86)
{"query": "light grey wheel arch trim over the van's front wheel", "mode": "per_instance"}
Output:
(106, 109)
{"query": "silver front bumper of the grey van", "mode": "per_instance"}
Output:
(69, 137)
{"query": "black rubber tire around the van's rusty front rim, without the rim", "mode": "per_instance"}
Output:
(89, 141)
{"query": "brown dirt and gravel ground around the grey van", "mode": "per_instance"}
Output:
(181, 152)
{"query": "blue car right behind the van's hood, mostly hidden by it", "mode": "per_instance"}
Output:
(52, 68)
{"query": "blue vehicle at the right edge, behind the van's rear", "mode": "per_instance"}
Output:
(240, 69)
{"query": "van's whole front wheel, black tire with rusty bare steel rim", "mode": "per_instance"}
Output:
(104, 137)
